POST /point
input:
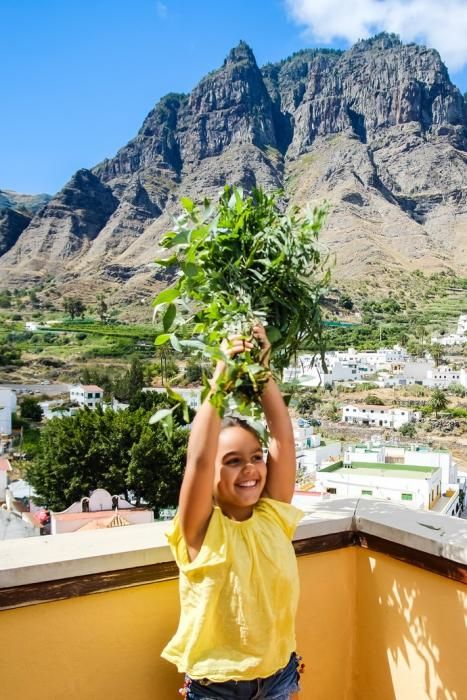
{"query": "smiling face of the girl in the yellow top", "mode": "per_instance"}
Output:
(240, 473)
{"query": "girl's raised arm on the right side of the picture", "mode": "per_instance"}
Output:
(281, 462)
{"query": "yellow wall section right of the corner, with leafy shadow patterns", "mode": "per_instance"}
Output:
(412, 632)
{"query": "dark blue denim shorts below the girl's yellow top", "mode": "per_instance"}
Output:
(279, 686)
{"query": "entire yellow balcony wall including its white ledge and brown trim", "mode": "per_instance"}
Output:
(383, 611)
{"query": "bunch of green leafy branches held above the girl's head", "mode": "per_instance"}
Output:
(241, 262)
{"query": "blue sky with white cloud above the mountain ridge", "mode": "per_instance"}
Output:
(79, 77)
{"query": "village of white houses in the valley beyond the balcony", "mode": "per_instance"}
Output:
(388, 461)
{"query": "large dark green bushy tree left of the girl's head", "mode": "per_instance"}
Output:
(94, 449)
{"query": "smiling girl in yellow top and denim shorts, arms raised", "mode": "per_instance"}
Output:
(231, 539)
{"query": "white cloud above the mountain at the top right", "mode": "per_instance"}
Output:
(440, 24)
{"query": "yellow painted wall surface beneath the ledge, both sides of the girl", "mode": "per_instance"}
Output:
(369, 628)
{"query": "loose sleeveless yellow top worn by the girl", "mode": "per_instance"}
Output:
(238, 597)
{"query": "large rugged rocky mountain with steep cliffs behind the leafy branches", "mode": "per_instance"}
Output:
(379, 130)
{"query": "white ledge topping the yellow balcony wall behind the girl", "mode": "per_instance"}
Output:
(55, 557)
